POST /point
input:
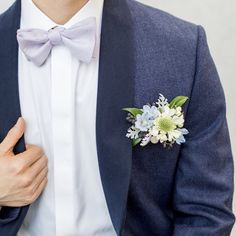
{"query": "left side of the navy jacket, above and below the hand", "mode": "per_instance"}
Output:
(10, 218)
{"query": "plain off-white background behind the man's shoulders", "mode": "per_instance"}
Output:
(219, 19)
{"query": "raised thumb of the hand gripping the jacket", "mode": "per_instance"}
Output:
(12, 137)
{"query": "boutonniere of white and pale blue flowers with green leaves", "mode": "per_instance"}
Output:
(161, 122)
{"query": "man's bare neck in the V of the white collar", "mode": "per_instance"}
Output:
(60, 11)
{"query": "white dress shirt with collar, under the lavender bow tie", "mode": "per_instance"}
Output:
(58, 102)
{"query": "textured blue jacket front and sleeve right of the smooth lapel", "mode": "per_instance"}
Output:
(187, 190)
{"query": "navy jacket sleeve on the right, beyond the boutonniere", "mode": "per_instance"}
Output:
(204, 177)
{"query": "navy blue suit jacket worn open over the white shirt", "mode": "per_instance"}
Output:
(151, 191)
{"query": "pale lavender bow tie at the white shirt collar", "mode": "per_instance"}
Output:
(37, 44)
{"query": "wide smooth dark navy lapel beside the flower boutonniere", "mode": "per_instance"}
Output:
(115, 91)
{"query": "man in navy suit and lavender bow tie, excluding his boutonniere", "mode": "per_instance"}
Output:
(114, 188)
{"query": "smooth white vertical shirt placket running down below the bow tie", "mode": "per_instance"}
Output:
(62, 128)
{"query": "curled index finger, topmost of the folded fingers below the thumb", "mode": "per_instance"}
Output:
(29, 157)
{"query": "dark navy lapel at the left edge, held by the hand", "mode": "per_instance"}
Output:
(9, 93)
